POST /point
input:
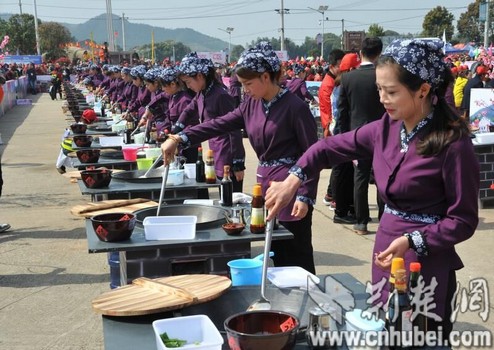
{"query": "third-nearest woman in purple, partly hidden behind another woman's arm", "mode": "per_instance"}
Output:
(211, 101)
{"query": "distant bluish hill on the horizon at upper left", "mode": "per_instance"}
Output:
(137, 34)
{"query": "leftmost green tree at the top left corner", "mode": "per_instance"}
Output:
(20, 29)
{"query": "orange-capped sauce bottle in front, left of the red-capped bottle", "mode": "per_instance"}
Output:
(400, 312)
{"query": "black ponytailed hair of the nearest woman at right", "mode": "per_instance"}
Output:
(446, 125)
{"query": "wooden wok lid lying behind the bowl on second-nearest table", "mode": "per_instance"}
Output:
(112, 206)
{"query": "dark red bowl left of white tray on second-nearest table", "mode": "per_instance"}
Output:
(113, 227)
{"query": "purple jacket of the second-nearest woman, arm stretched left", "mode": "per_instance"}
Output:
(286, 132)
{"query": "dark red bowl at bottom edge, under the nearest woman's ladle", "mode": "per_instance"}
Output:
(274, 330)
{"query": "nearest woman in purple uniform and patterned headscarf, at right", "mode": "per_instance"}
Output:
(425, 169)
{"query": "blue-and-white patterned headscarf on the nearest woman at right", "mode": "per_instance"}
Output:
(423, 58)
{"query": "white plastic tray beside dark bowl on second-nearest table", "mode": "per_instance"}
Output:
(170, 227)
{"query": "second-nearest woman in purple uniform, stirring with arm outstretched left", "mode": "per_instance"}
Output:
(280, 128)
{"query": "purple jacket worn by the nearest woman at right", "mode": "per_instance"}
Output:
(446, 185)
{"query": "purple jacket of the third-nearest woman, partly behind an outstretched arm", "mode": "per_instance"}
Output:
(228, 147)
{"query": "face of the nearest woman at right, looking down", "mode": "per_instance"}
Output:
(397, 99)
